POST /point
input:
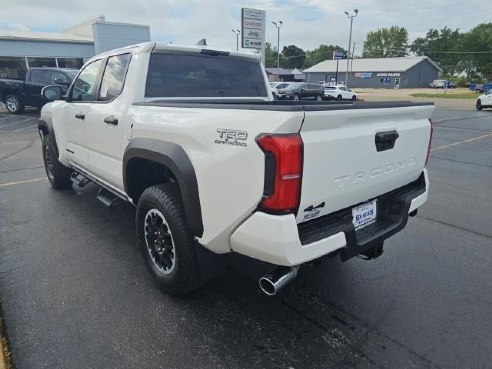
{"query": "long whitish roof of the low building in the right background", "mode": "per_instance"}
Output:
(370, 65)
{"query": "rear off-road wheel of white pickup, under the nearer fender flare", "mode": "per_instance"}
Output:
(165, 200)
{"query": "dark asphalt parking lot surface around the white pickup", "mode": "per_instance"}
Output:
(75, 292)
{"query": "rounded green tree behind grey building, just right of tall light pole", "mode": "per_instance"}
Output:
(386, 42)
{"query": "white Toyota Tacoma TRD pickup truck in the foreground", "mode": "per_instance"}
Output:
(192, 137)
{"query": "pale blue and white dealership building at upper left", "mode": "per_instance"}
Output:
(20, 50)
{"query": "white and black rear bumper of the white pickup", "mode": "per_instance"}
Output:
(279, 240)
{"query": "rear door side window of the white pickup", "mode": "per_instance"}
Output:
(114, 77)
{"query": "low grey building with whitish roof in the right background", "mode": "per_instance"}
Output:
(407, 72)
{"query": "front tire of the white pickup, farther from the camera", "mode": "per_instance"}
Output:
(58, 174)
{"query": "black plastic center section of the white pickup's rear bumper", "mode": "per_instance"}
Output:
(392, 216)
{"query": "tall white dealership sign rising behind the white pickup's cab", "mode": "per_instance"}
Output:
(253, 29)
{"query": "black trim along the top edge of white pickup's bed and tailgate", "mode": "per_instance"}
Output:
(279, 105)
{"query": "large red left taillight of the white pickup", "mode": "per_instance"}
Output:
(283, 171)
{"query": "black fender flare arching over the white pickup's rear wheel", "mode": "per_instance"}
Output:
(172, 156)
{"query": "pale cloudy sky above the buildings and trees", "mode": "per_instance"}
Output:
(307, 23)
